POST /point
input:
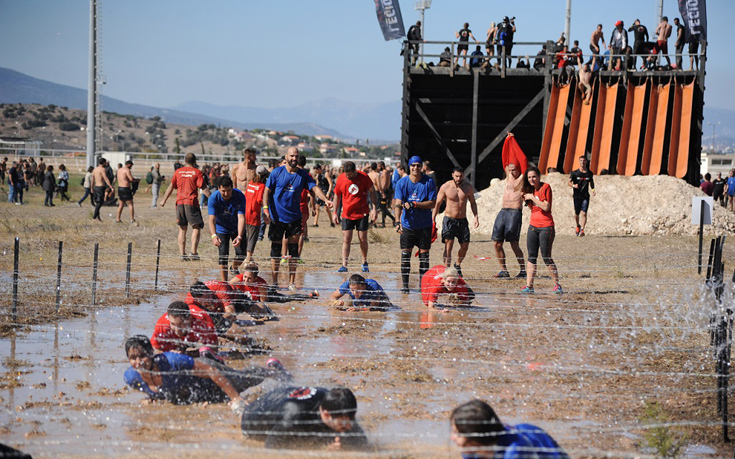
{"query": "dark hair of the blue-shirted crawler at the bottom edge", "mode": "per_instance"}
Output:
(477, 421)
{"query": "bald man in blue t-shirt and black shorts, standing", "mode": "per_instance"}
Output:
(281, 208)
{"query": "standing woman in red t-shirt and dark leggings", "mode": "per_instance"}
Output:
(541, 229)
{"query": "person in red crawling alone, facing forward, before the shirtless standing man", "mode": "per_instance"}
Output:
(441, 280)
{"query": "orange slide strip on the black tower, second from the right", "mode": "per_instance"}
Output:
(653, 148)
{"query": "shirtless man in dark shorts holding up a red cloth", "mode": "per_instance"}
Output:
(507, 225)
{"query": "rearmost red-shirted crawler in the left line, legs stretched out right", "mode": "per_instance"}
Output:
(256, 289)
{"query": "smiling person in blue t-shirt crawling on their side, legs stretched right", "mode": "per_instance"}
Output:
(181, 379)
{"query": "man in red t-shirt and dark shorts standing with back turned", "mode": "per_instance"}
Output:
(188, 180)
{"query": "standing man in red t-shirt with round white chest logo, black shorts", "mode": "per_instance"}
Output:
(352, 191)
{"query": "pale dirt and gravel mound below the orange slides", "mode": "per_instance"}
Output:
(641, 205)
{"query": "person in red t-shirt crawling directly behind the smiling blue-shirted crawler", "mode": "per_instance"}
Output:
(183, 326)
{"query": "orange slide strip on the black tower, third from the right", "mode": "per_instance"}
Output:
(630, 138)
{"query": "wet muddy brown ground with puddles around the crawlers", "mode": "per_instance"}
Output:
(629, 334)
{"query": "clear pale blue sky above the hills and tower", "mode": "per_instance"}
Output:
(281, 53)
